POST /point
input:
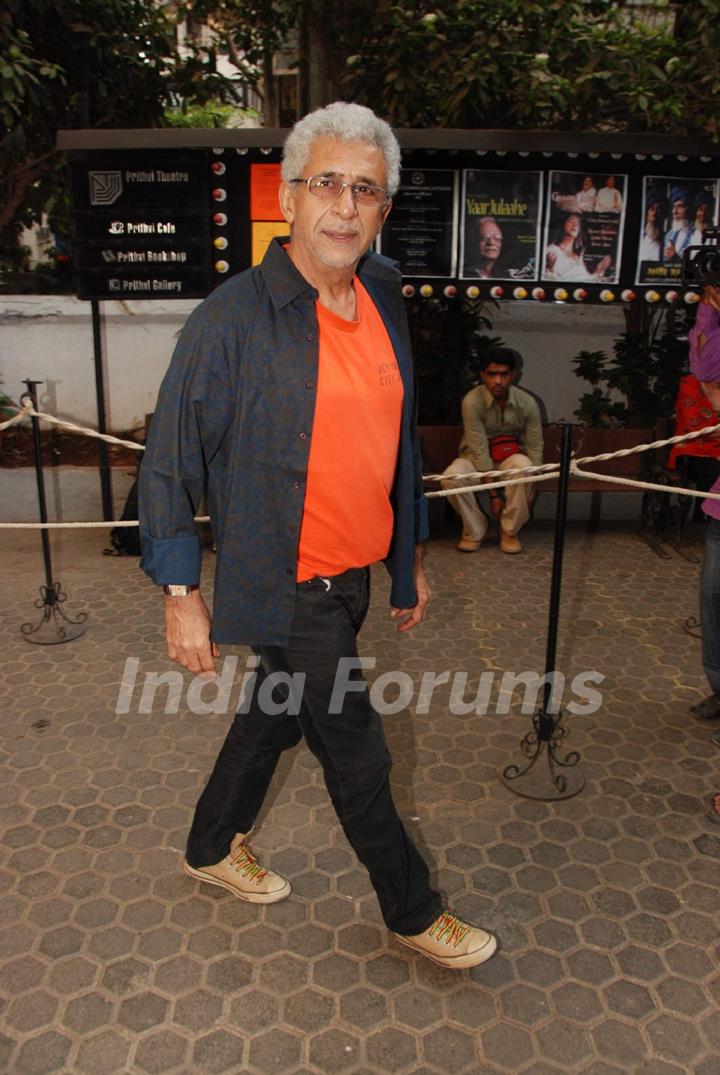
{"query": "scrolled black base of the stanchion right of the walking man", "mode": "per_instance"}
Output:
(561, 779)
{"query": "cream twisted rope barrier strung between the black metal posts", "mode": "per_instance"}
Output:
(520, 476)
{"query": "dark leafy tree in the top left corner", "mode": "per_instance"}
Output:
(71, 64)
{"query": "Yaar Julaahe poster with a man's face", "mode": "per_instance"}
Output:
(501, 225)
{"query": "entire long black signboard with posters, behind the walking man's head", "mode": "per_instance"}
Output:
(174, 214)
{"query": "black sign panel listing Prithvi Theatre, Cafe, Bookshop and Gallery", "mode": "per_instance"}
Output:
(145, 224)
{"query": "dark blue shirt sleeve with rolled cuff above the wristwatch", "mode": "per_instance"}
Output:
(189, 425)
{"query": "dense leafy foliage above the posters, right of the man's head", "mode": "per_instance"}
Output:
(565, 65)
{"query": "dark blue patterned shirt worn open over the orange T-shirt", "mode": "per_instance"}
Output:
(235, 415)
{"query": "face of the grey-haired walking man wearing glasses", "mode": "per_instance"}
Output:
(335, 235)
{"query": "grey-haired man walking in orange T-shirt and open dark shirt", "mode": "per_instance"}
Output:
(292, 391)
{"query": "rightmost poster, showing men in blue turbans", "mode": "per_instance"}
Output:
(675, 212)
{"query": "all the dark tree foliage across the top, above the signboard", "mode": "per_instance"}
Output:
(567, 65)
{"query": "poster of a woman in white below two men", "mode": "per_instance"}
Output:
(585, 222)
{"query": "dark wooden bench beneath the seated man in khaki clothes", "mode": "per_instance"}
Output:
(440, 448)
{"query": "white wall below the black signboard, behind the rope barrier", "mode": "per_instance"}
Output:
(50, 338)
